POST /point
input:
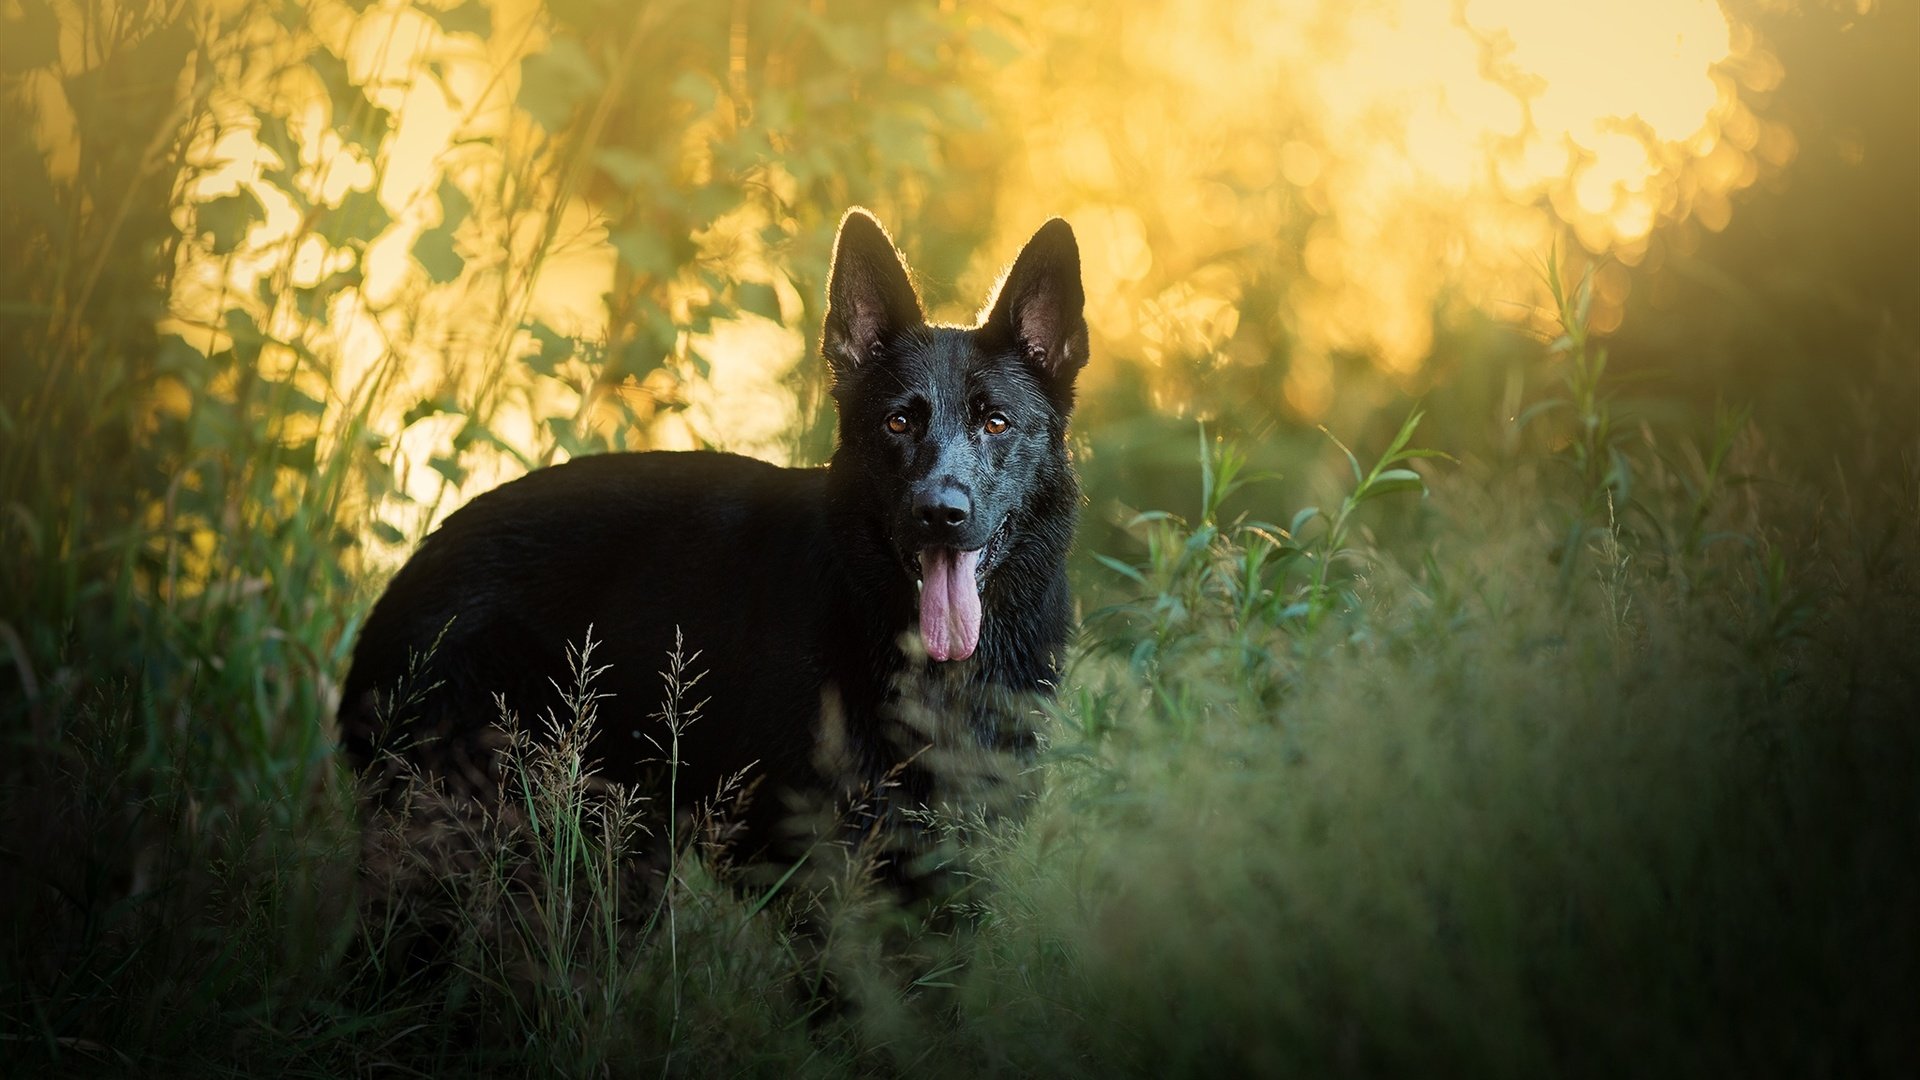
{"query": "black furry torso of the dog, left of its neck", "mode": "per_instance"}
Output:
(729, 551)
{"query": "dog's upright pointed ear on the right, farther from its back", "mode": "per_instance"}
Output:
(1042, 305)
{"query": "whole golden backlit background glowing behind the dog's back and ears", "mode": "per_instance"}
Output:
(408, 201)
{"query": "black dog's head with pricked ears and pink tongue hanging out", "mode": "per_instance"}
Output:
(953, 431)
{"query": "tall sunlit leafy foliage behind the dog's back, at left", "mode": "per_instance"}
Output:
(218, 353)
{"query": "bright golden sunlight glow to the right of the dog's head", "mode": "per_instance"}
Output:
(1431, 153)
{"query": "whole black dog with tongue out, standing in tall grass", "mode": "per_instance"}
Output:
(909, 597)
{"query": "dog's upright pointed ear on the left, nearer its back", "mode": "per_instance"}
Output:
(869, 295)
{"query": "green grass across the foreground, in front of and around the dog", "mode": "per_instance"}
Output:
(1474, 804)
